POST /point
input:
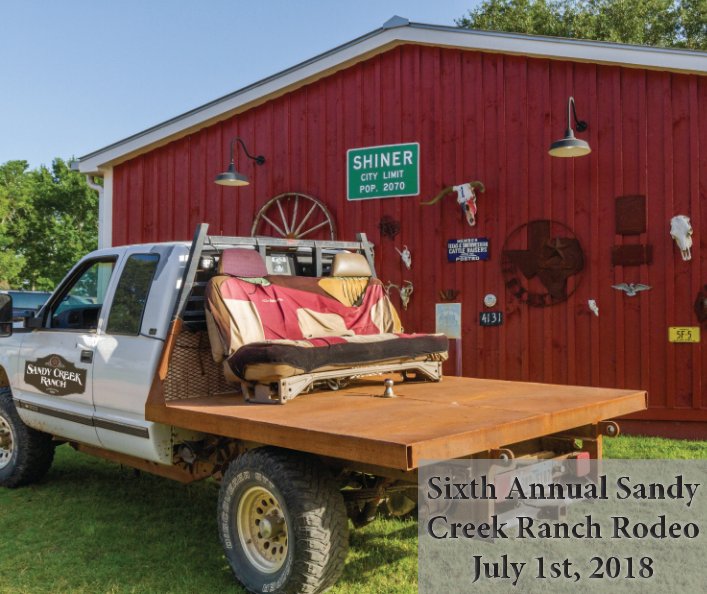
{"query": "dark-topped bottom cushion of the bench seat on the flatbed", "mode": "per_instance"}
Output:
(269, 361)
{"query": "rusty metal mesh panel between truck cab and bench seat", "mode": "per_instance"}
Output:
(192, 370)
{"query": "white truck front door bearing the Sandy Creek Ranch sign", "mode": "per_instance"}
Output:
(54, 388)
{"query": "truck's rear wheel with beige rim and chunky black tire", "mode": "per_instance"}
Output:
(282, 522)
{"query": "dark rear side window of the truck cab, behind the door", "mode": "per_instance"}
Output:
(131, 294)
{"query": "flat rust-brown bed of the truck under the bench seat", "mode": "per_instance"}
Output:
(454, 418)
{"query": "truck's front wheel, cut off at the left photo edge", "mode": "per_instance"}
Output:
(25, 454)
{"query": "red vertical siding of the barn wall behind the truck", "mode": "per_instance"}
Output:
(485, 117)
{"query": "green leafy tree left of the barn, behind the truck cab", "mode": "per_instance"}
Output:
(48, 220)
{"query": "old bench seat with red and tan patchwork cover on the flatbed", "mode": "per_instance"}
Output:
(278, 335)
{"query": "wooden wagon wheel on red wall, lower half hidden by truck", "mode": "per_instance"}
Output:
(294, 216)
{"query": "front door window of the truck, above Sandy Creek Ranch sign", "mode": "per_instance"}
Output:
(80, 306)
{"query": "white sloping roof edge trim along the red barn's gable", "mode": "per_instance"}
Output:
(377, 41)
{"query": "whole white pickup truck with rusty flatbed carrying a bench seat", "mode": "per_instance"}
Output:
(124, 362)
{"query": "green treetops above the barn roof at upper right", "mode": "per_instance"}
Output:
(665, 23)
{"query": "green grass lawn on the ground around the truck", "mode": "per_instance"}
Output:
(92, 527)
